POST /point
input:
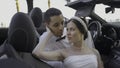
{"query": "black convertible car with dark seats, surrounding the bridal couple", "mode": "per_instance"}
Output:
(18, 41)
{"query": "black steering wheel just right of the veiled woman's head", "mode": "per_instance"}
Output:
(95, 28)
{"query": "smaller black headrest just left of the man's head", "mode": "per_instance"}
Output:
(36, 16)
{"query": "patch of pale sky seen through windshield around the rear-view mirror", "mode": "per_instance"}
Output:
(100, 10)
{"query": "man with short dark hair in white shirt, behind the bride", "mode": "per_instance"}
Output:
(54, 22)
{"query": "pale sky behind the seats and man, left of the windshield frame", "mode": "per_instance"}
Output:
(8, 8)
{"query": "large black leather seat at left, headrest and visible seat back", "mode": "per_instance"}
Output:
(21, 35)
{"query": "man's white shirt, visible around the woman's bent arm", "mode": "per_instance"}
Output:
(53, 45)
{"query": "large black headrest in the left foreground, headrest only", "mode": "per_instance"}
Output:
(21, 33)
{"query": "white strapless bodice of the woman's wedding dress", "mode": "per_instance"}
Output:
(81, 61)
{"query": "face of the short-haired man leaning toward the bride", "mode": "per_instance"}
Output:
(56, 25)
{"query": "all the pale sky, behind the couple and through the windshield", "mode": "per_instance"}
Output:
(8, 9)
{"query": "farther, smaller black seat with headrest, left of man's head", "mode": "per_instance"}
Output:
(37, 18)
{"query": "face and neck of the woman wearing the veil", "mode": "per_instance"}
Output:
(73, 33)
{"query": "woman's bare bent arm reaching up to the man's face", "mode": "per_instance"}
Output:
(46, 55)
